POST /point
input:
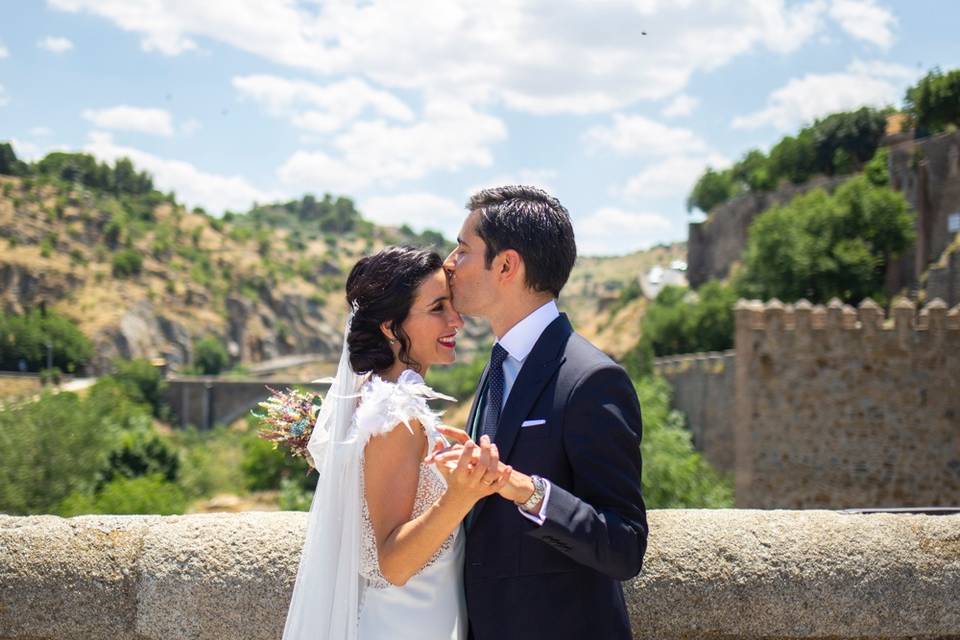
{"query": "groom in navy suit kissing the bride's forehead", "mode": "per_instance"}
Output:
(547, 561)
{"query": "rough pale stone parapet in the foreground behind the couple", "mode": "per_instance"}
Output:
(708, 574)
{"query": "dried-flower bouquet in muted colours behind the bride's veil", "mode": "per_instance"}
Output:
(288, 420)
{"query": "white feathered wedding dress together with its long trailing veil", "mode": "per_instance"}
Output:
(340, 593)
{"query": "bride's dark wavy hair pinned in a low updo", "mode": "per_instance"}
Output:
(383, 287)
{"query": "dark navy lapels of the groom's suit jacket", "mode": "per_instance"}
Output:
(538, 368)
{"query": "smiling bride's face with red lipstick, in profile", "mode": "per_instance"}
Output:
(432, 323)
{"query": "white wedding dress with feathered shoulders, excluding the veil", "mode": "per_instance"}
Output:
(431, 604)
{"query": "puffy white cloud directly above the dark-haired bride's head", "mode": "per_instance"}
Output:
(450, 135)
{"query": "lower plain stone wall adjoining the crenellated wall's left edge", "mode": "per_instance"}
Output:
(703, 389)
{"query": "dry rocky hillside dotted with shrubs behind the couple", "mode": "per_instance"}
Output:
(142, 276)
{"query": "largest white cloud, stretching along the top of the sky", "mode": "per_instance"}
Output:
(538, 56)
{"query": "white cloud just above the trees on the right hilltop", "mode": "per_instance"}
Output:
(804, 99)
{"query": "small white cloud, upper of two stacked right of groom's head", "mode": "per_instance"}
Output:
(639, 136)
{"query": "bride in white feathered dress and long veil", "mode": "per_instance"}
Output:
(383, 555)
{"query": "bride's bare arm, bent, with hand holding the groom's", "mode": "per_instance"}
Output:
(391, 473)
